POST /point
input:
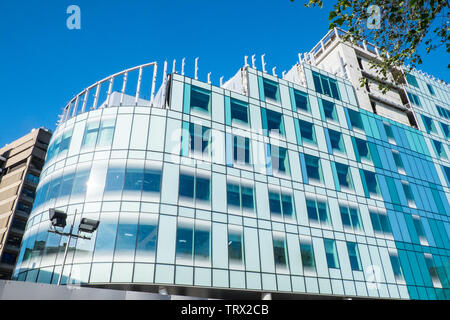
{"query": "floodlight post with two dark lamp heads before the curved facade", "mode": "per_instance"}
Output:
(58, 219)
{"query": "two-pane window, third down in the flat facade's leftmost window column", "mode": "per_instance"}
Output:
(194, 187)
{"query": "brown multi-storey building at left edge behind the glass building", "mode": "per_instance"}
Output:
(20, 167)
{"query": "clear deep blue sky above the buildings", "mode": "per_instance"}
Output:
(43, 64)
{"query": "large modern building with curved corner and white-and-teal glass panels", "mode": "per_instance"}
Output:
(264, 184)
